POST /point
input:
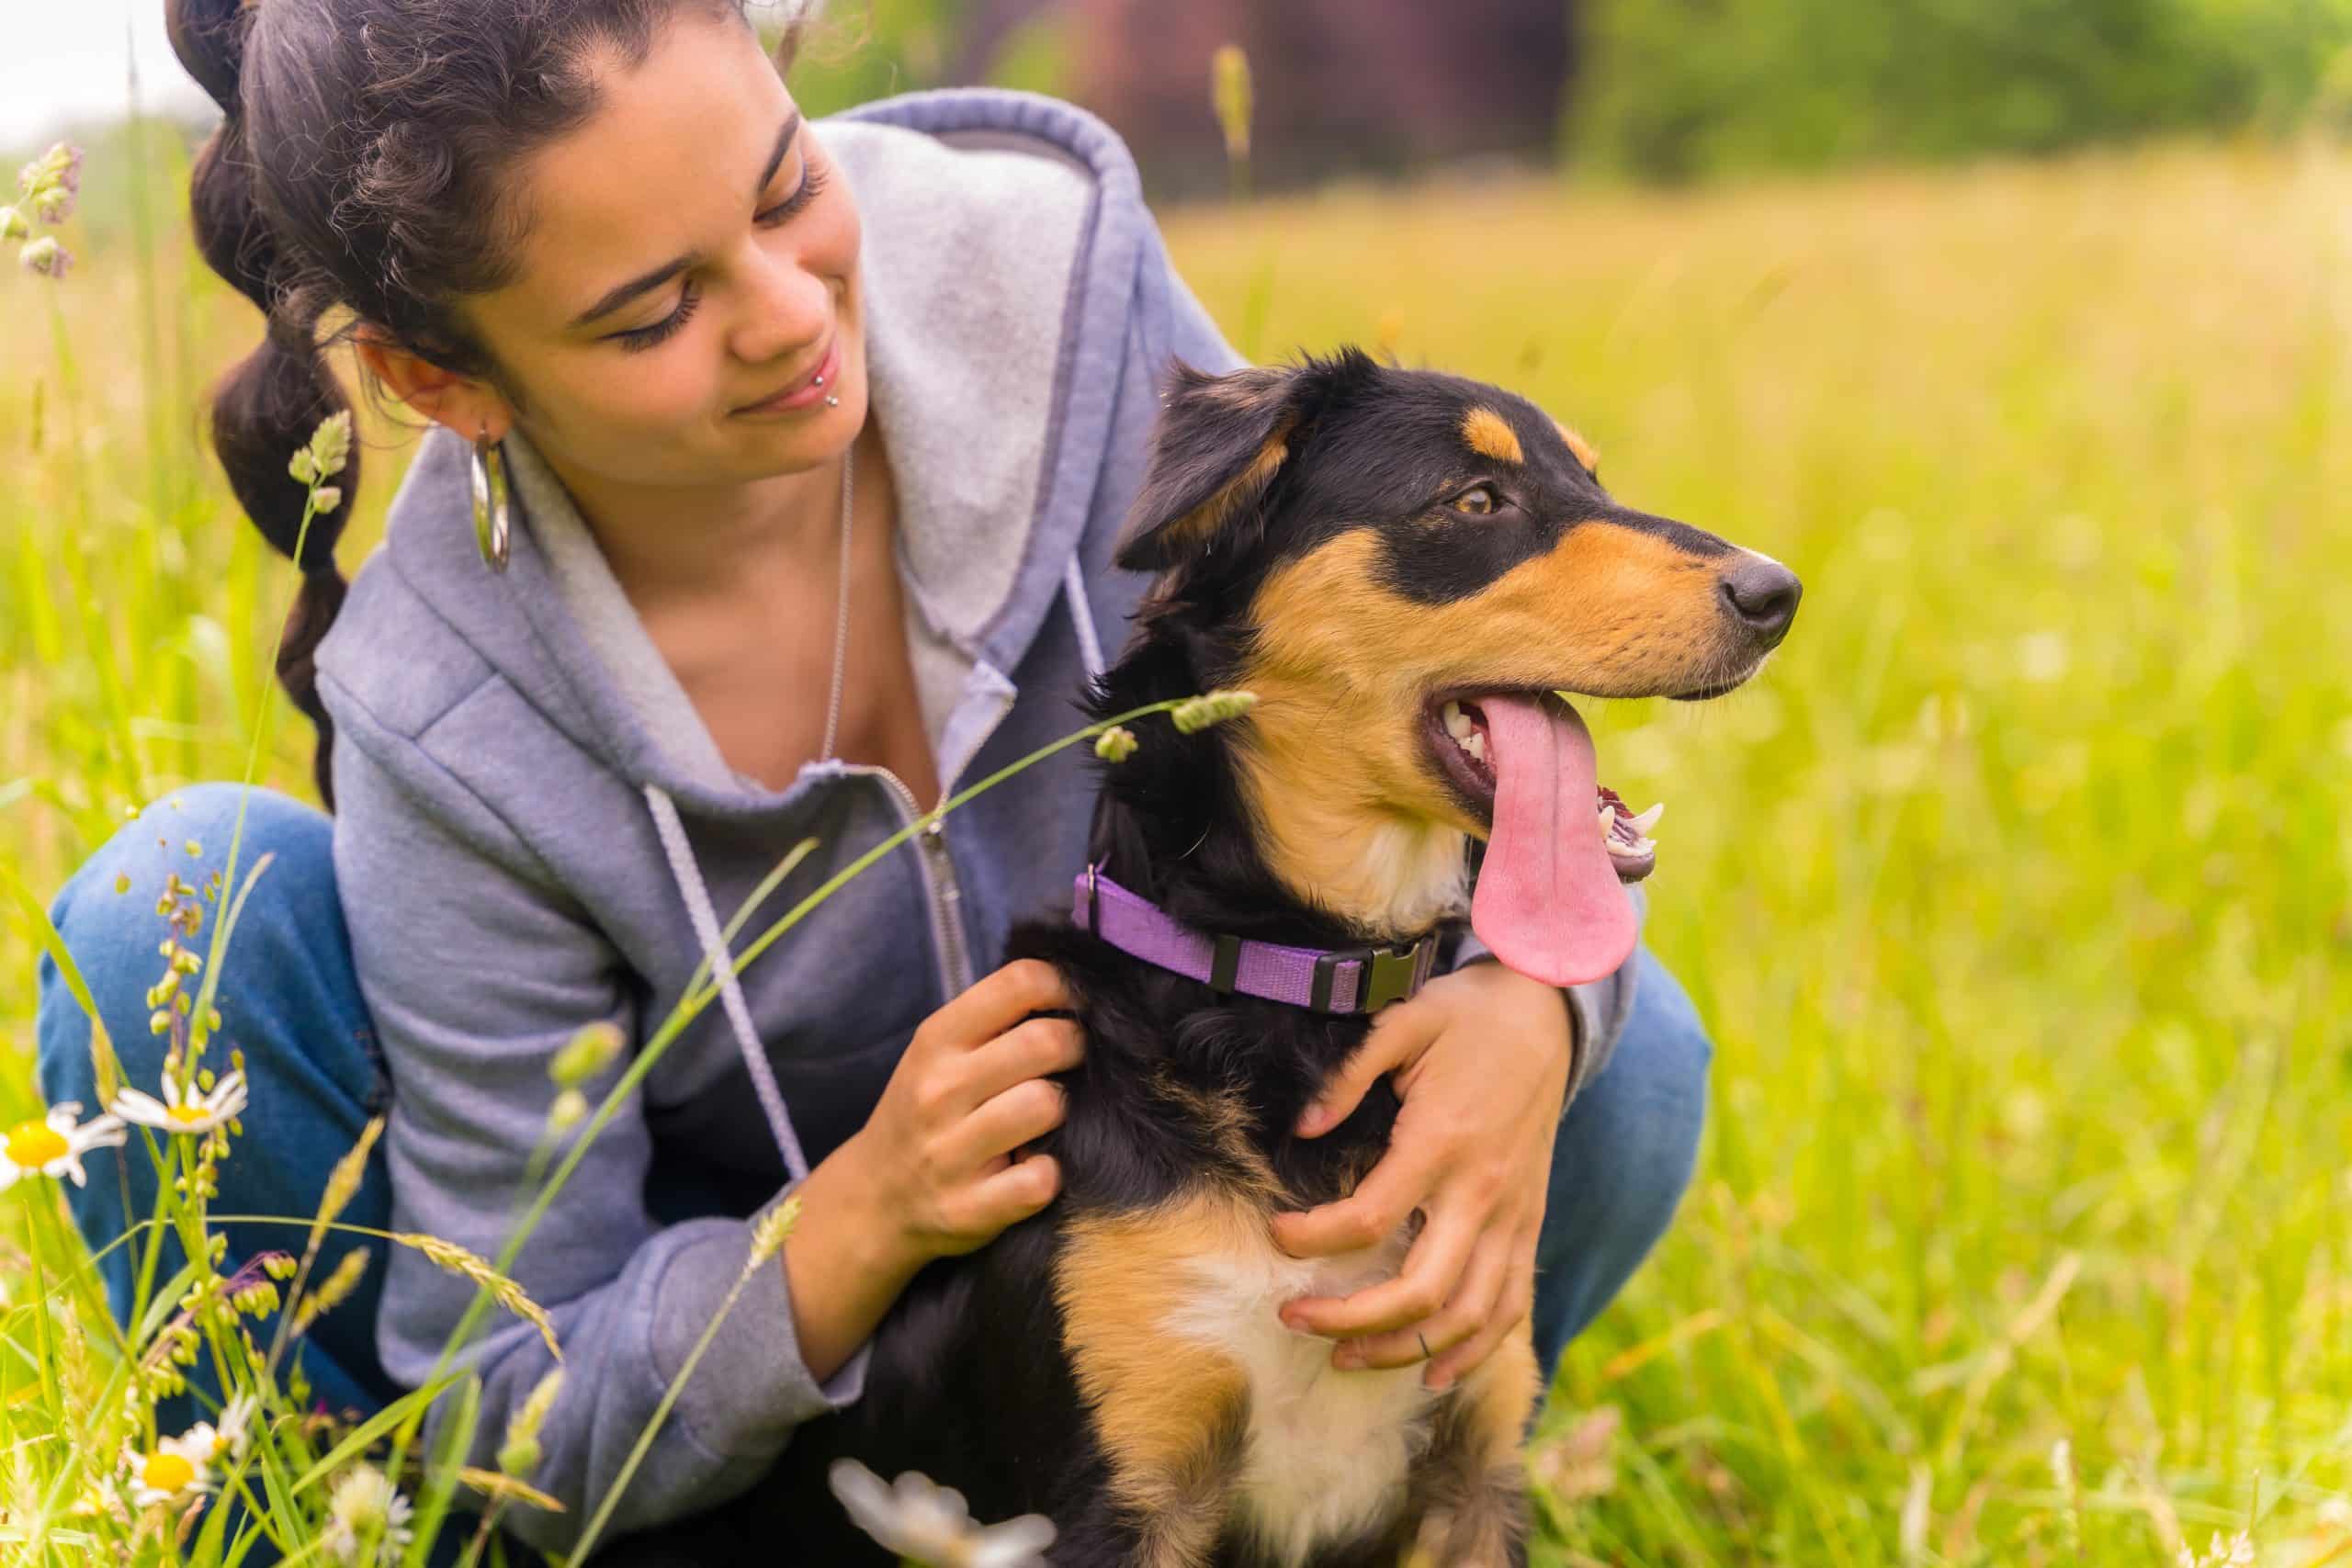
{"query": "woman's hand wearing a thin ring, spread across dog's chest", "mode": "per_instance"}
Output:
(1483, 1064)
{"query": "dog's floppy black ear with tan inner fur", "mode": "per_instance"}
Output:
(1220, 445)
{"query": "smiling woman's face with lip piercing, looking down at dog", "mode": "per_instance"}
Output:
(690, 267)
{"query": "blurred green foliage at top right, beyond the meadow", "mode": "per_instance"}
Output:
(1692, 88)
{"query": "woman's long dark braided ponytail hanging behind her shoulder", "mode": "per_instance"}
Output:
(269, 406)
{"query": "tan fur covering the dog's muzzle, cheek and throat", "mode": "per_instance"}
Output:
(1332, 758)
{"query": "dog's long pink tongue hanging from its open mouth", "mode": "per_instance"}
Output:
(1549, 899)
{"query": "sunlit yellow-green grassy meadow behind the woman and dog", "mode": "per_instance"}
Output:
(2014, 892)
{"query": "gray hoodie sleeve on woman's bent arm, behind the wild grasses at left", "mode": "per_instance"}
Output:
(479, 972)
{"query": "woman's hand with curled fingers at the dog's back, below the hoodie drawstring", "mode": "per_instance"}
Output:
(933, 1172)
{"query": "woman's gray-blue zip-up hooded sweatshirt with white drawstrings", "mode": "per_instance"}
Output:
(535, 831)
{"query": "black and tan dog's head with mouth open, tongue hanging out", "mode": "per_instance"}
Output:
(1408, 568)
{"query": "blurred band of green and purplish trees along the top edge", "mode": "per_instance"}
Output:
(1648, 88)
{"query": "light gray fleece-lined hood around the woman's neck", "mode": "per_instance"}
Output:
(977, 328)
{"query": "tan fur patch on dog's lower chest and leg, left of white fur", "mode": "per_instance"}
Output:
(1161, 1402)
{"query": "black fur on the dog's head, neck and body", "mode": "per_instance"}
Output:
(970, 1376)
